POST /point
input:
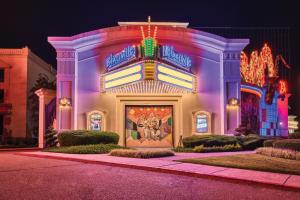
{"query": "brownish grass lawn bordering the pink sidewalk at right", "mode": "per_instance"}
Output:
(251, 161)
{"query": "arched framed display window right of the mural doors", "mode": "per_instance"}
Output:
(201, 122)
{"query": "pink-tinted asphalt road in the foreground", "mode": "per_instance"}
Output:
(39, 178)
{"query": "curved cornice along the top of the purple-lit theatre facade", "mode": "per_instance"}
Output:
(98, 36)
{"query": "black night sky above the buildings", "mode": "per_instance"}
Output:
(29, 23)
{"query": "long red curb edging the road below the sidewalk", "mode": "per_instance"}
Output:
(169, 171)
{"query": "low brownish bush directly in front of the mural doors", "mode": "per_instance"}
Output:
(141, 153)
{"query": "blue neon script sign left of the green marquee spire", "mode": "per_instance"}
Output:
(125, 55)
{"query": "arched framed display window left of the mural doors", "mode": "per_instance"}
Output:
(95, 121)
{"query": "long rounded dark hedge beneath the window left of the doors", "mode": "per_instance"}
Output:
(84, 137)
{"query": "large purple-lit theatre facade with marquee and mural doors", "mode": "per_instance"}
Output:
(151, 82)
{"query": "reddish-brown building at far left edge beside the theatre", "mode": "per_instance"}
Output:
(19, 70)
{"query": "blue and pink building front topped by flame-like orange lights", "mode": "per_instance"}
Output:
(264, 105)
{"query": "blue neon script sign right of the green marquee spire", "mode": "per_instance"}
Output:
(172, 56)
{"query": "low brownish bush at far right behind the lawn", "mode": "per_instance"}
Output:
(279, 153)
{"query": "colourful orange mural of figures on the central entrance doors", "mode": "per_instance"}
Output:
(149, 126)
